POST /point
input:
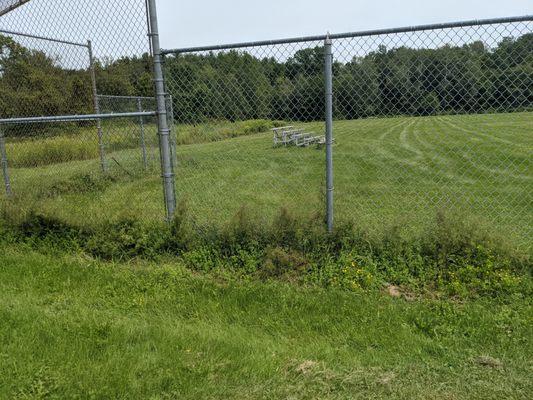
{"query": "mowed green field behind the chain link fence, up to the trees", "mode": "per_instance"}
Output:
(390, 171)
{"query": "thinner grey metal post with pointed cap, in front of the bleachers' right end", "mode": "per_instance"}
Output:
(328, 75)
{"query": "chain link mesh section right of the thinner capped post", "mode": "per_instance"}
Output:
(457, 135)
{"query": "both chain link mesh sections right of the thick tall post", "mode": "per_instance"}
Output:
(427, 119)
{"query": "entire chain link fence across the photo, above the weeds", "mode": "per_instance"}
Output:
(424, 119)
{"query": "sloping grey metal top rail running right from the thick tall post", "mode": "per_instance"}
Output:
(376, 32)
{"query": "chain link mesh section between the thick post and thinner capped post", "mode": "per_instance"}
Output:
(230, 153)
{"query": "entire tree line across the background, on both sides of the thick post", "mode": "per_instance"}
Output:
(235, 85)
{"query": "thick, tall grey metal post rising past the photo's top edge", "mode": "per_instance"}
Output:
(162, 118)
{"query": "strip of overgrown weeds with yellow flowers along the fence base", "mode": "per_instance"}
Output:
(453, 257)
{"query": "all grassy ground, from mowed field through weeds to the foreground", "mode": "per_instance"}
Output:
(291, 312)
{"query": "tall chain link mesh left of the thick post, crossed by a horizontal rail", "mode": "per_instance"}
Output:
(79, 171)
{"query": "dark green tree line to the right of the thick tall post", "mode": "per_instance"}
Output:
(400, 81)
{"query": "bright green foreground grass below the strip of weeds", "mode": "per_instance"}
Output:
(76, 328)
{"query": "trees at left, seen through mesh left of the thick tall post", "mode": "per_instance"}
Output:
(34, 83)
